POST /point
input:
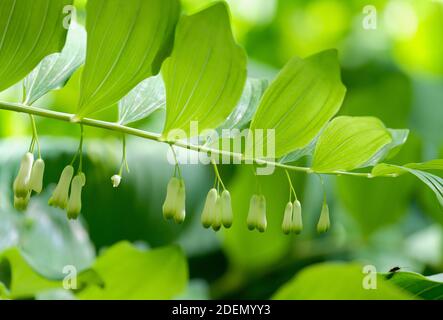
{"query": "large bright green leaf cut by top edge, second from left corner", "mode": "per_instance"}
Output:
(127, 42)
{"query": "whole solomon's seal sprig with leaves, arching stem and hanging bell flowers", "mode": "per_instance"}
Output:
(149, 57)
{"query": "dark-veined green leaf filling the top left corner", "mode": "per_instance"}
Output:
(29, 31)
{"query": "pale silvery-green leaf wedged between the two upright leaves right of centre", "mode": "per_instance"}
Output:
(248, 104)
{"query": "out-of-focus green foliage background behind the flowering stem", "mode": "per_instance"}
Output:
(394, 72)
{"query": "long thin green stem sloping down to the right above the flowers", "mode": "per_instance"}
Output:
(66, 117)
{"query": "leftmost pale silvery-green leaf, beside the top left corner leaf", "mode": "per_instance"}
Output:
(55, 70)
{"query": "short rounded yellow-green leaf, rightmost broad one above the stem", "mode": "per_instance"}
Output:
(348, 143)
